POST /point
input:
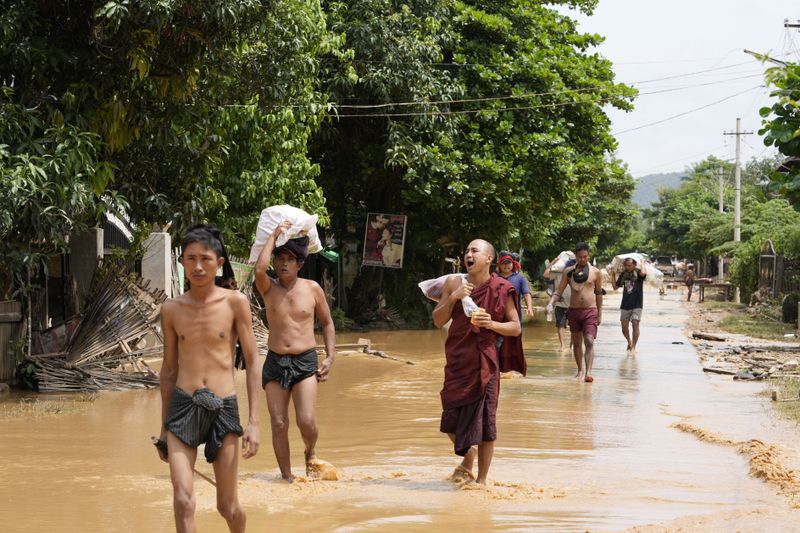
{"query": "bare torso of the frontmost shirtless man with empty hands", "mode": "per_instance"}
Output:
(206, 337)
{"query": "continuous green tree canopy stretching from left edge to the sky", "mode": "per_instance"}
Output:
(472, 118)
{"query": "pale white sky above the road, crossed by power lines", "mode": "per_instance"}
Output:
(698, 45)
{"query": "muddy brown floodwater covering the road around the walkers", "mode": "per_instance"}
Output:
(570, 456)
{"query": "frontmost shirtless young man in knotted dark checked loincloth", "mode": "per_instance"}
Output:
(198, 395)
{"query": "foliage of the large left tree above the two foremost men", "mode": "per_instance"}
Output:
(193, 110)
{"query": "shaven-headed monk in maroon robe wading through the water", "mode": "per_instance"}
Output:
(474, 362)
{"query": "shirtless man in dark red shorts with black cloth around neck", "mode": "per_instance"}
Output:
(585, 308)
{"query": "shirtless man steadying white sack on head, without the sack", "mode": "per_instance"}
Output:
(291, 370)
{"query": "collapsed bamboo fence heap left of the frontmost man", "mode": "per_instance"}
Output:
(119, 312)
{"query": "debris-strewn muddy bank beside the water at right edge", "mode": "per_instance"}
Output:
(741, 356)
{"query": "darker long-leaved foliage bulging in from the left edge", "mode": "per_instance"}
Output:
(51, 182)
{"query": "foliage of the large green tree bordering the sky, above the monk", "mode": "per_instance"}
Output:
(481, 119)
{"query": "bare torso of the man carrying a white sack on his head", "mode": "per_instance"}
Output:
(290, 314)
